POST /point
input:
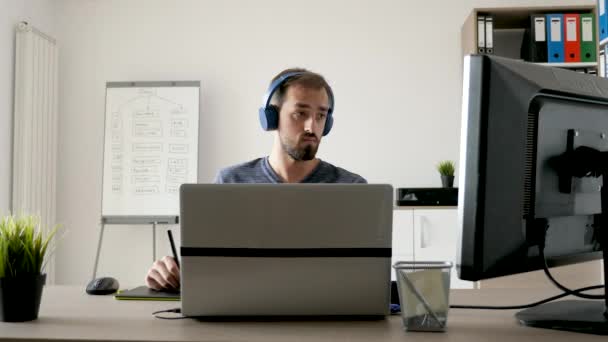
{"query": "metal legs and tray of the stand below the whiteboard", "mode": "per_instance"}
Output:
(132, 220)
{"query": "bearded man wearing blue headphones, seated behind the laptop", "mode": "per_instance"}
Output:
(299, 106)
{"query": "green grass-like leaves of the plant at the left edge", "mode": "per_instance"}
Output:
(23, 245)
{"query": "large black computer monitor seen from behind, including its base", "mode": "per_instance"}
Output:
(523, 126)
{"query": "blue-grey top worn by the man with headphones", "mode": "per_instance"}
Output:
(260, 171)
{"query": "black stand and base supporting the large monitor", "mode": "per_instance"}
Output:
(586, 316)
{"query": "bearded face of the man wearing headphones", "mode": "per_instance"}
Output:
(302, 120)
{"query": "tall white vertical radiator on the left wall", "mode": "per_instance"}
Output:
(35, 128)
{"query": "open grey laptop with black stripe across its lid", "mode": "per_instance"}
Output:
(285, 249)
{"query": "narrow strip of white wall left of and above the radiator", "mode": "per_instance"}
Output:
(40, 14)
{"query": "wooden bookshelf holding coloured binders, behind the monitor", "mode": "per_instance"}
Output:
(510, 24)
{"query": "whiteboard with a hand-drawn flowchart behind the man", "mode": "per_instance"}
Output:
(150, 146)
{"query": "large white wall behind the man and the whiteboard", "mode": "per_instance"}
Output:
(394, 66)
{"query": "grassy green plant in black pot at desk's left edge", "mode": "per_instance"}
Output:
(23, 247)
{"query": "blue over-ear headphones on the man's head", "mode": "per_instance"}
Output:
(269, 114)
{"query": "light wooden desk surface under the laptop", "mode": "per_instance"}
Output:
(67, 313)
